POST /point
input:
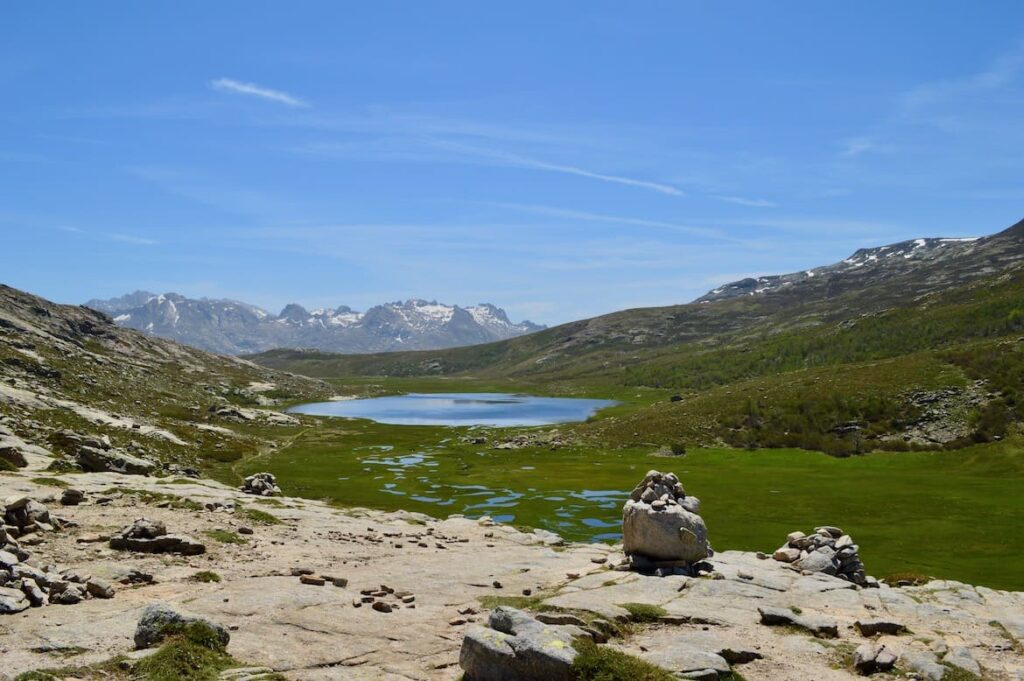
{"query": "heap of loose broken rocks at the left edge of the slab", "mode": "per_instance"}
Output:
(24, 583)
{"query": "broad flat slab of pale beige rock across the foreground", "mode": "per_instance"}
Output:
(310, 632)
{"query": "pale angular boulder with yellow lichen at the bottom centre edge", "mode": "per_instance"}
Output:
(515, 647)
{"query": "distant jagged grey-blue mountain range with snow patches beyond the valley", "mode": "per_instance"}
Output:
(231, 327)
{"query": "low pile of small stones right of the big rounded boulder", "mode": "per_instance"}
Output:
(830, 551)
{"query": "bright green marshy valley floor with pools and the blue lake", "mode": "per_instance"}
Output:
(430, 447)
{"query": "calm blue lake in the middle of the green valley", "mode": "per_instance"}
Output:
(461, 409)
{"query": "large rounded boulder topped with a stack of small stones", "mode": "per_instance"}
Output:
(662, 530)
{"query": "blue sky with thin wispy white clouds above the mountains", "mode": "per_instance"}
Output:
(561, 160)
